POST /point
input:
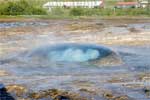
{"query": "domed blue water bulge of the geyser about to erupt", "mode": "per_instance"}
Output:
(76, 53)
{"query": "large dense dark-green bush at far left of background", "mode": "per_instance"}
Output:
(21, 7)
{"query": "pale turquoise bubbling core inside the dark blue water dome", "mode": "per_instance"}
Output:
(73, 55)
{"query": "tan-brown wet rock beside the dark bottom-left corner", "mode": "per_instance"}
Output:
(18, 90)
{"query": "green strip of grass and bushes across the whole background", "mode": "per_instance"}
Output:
(30, 8)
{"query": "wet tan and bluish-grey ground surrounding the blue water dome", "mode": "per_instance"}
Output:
(124, 34)
